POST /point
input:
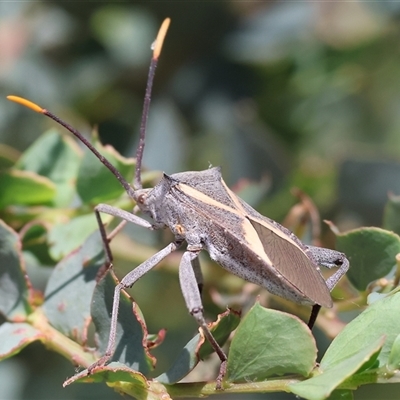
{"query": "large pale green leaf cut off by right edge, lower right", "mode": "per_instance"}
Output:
(381, 318)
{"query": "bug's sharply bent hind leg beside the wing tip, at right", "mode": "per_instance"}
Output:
(330, 259)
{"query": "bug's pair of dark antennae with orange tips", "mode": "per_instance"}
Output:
(139, 154)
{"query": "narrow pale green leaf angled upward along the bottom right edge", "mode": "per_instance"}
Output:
(321, 386)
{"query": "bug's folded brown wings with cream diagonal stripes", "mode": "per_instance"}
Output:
(276, 246)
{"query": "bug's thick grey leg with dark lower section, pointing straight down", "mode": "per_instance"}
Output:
(191, 294)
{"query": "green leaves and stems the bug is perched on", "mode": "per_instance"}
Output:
(271, 351)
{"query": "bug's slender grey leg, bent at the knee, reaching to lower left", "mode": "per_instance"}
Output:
(127, 282)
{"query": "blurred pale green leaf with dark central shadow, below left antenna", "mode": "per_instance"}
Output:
(56, 157)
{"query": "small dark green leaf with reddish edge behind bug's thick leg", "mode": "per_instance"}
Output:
(198, 348)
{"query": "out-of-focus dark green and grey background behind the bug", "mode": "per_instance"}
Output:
(299, 94)
